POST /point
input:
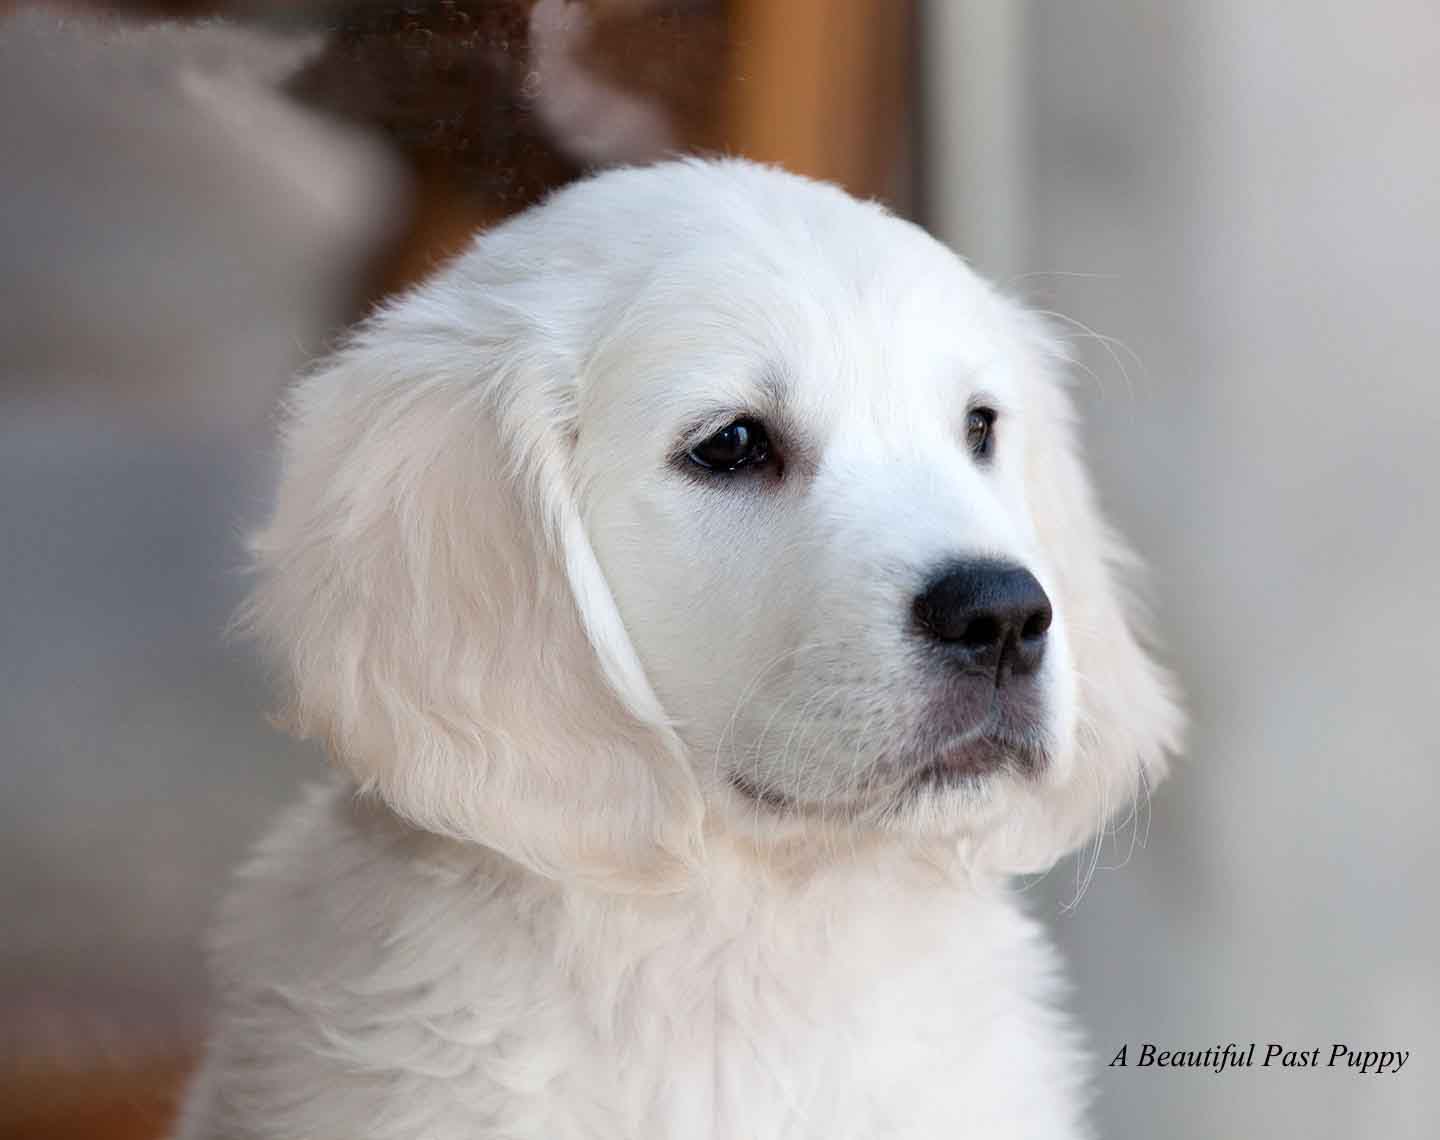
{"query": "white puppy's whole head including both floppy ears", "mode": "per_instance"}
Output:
(705, 490)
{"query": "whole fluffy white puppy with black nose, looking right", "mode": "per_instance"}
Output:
(701, 585)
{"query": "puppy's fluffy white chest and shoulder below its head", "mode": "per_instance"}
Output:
(457, 1010)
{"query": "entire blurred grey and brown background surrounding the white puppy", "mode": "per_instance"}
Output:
(1232, 208)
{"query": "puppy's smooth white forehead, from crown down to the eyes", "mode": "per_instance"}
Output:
(735, 289)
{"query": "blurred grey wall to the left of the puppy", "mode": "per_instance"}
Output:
(176, 238)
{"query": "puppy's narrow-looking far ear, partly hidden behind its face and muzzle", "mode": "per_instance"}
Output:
(1128, 722)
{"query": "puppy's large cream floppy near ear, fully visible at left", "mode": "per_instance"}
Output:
(447, 628)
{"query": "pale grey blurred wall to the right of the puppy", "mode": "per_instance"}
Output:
(1246, 198)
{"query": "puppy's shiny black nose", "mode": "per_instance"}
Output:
(989, 615)
